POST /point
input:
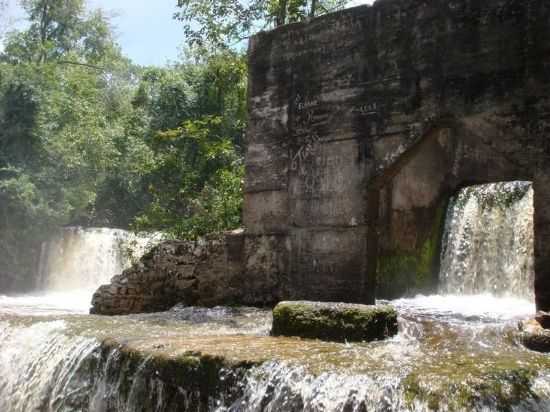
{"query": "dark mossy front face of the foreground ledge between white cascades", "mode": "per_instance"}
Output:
(171, 382)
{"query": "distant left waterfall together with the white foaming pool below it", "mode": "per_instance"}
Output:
(75, 262)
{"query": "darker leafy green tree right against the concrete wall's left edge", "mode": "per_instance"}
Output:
(196, 182)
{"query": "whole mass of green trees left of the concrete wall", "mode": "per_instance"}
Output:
(88, 138)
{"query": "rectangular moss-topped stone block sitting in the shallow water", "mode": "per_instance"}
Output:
(338, 322)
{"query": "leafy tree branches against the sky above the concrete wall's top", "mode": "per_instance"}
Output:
(224, 23)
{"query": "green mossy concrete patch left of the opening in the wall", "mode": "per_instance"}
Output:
(406, 273)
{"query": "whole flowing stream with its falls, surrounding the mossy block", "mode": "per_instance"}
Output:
(455, 351)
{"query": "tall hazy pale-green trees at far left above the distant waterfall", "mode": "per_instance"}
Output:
(64, 97)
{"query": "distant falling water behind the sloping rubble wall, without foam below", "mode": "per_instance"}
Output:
(84, 258)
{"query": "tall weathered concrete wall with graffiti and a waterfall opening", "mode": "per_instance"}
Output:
(363, 123)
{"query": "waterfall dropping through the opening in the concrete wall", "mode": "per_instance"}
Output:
(488, 244)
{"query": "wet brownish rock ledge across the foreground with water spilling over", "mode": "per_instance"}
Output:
(222, 359)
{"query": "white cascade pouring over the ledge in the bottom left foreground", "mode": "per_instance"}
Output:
(47, 368)
